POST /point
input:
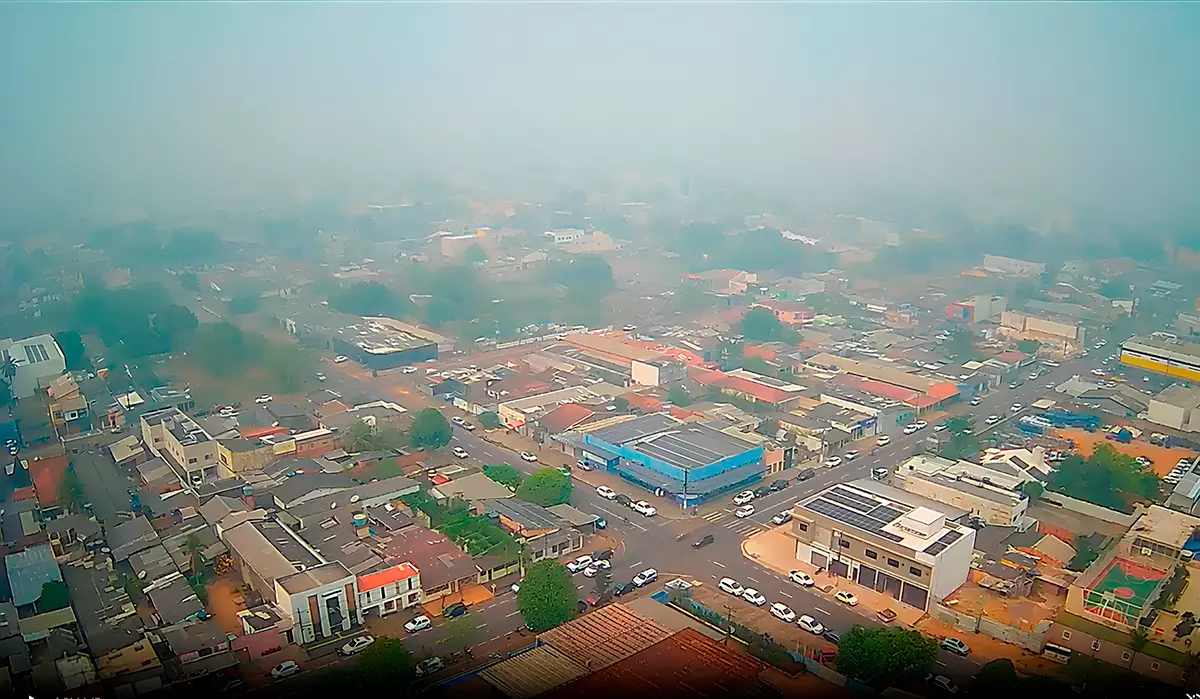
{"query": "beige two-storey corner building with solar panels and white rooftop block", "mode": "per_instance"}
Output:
(885, 540)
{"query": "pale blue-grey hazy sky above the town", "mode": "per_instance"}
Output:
(130, 107)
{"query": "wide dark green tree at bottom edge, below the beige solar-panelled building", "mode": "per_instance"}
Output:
(890, 655)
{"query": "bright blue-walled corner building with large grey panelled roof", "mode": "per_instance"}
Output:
(689, 463)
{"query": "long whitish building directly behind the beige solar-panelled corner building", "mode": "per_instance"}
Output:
(995, 505)
